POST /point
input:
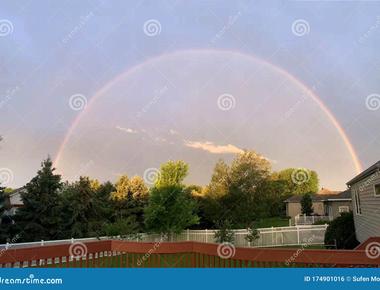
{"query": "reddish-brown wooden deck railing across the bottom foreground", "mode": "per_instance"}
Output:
(113, 253)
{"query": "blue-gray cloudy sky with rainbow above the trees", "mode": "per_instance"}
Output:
(118, 87)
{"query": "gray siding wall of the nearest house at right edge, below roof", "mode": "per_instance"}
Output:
(367, 224)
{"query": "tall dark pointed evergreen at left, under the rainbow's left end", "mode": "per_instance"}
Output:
(40, 216)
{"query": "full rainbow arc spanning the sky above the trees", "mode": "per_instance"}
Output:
(315, 98)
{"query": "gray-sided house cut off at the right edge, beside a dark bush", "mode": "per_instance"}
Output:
(365, 189)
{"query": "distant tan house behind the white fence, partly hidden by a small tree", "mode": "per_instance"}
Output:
(325, 203)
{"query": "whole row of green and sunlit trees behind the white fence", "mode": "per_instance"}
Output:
(237, 195)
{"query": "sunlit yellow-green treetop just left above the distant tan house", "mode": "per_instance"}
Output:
(299, 180)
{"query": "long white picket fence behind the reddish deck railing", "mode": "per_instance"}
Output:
(268, 237)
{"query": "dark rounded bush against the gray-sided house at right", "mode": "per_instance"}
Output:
(341, 232)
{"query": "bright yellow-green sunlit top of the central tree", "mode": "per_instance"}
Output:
(172, 173)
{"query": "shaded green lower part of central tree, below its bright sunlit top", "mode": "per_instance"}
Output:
(170, 210)
